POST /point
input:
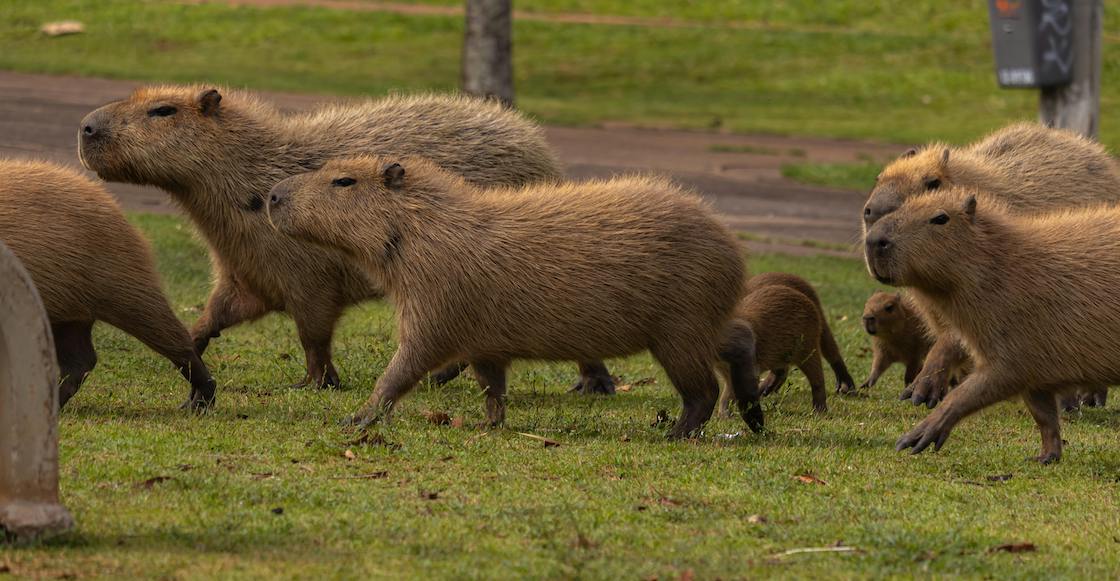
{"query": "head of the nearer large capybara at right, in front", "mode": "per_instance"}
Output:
(918, 245)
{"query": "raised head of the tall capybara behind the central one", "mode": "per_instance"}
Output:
(161, 135)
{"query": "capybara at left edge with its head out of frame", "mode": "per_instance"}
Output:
(90, 265)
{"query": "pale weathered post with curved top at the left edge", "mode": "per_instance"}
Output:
(30, 505)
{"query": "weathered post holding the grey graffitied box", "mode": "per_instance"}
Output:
(1078, 106)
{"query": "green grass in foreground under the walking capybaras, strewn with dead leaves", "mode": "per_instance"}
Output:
(614, 501)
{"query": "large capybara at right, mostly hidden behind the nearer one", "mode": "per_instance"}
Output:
(1028, 166)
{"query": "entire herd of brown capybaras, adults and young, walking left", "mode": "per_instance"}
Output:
(456, 210)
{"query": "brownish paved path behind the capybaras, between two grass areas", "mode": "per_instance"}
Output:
(40, 116)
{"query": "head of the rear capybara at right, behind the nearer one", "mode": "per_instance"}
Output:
(914, 173)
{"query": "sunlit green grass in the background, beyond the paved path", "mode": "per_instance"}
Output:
(902, 72)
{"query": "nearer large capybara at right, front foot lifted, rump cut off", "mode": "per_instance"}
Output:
(1032, 298)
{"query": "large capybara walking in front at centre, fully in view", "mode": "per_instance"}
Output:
(499, 275)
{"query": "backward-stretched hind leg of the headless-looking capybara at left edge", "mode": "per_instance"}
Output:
(151, 320)
